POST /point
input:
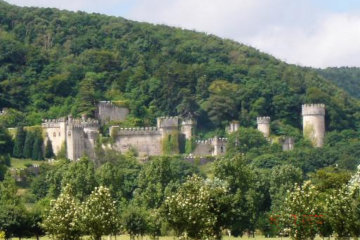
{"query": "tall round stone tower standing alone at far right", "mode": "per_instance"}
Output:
(314, 123)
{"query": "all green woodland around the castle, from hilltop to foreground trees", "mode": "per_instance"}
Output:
(54, 63)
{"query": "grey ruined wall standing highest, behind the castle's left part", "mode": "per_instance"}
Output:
(108, 111)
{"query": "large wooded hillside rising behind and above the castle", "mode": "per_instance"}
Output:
(53, 63)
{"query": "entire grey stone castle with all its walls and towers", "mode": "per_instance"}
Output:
(79, 136)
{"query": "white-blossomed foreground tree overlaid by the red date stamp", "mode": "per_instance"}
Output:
(301, 212)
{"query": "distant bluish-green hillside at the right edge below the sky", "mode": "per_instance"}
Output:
(347, 78)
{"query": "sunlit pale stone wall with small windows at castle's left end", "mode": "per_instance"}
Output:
(55, 130)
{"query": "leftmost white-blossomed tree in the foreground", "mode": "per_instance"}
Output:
(63, 219)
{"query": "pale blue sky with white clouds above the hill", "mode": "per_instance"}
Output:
(317, 33)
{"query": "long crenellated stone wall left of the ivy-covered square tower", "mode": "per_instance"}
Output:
(147, 141)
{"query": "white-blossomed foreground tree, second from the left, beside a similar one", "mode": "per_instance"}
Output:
(98, 214)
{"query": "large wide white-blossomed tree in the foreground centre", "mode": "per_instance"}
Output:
(199, 209)
